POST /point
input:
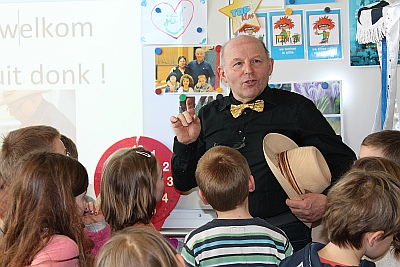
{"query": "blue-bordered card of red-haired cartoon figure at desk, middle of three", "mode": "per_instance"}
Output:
(287, 35)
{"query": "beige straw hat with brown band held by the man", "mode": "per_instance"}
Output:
(299, 170)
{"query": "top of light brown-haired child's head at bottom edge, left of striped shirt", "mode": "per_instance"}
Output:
(138, 246)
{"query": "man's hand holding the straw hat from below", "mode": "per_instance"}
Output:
(310, 208)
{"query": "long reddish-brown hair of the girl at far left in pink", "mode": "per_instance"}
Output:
(42, 204)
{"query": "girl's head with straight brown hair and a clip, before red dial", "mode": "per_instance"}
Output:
(131, 185)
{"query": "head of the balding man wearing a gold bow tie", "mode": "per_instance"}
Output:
(246, 67)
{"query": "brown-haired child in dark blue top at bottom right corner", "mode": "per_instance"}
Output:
(355, 221)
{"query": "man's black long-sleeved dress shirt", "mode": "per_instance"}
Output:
(284, 112)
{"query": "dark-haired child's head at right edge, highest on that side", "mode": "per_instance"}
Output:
(384, 144)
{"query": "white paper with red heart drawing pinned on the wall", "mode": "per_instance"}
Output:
(174, 22)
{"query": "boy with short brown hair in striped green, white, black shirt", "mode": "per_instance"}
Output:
(235, 237)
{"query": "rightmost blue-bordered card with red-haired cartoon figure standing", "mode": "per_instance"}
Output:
(324, 34)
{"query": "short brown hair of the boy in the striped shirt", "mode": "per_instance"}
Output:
(223, 175)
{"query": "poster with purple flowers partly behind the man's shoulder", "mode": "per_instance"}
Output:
(324, 94)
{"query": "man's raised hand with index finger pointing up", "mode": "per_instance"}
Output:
(186, 125)
